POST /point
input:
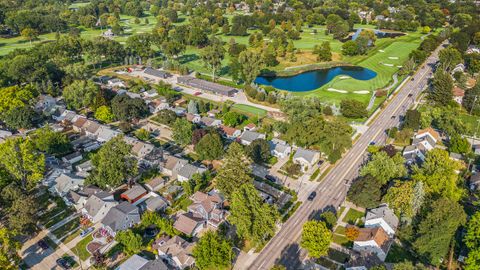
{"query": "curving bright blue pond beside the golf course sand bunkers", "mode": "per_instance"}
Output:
(314, 79)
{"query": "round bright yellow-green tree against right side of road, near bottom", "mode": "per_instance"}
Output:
(316, 238)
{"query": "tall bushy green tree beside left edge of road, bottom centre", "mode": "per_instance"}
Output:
(254, 219)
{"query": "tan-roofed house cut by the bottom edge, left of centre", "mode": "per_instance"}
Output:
(176, 250)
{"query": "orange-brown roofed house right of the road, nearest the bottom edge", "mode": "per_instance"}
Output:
(372, 241)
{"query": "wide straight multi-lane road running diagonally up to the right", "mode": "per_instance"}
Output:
(283, 248)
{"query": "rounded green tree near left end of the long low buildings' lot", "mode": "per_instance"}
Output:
(80, 94)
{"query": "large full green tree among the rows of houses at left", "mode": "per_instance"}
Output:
(113, 164)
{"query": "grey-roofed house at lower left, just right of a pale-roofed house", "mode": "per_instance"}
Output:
(120, 217)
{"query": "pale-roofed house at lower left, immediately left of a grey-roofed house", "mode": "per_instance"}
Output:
(97, 206)
